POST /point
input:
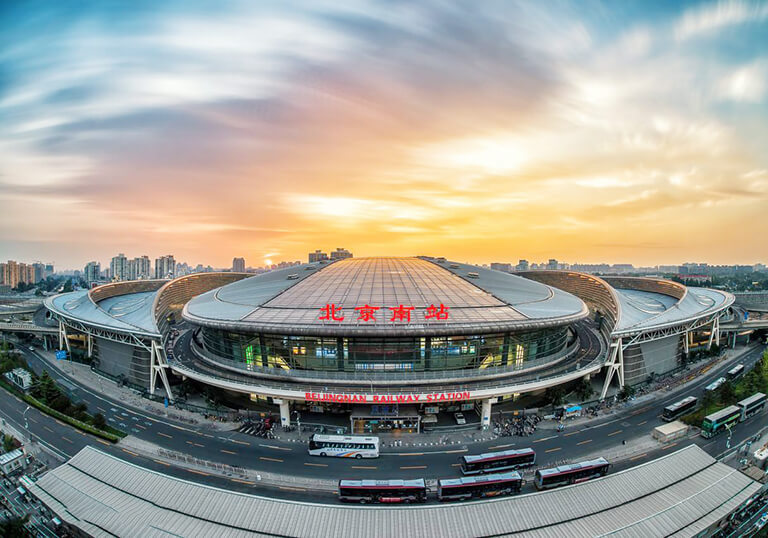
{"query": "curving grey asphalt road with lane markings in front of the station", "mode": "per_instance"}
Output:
(290, 458)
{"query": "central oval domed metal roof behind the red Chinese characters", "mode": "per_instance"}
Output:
(478, 300)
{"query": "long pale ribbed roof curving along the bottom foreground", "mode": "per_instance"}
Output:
(679, 494)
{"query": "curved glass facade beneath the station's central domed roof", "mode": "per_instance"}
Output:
(425, 353)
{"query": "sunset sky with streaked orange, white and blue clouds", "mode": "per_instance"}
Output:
(620, 132)
